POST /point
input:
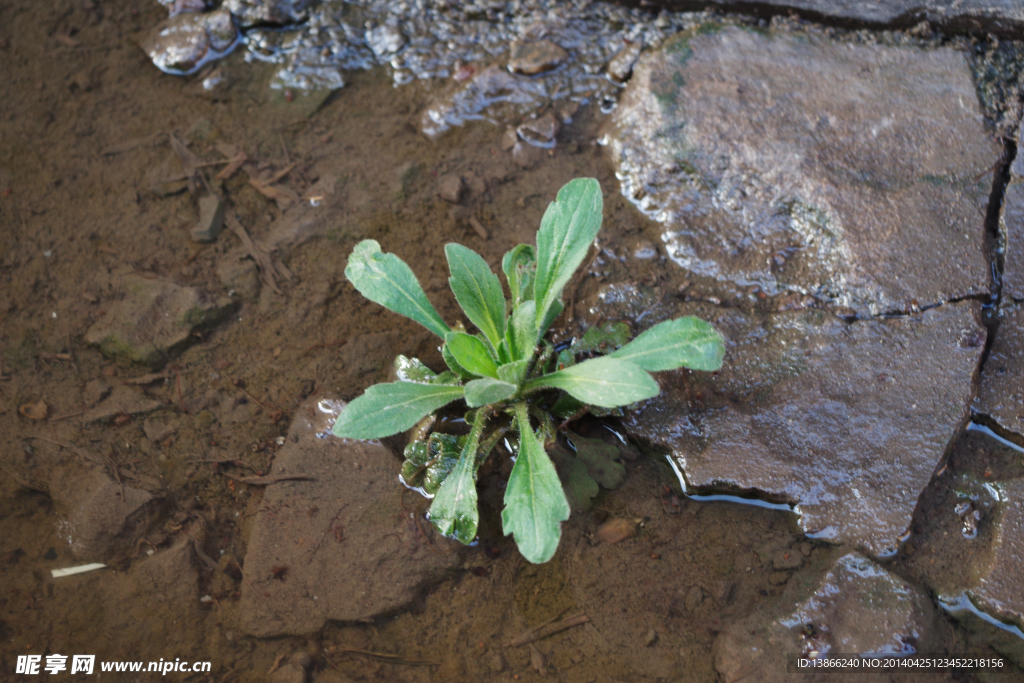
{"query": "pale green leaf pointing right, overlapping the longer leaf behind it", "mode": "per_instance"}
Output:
(606, 382)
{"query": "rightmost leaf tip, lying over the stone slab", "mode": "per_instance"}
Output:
(688, 343)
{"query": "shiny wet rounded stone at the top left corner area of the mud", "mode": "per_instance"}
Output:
(187, 41)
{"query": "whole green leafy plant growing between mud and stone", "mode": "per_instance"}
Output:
(508, 373)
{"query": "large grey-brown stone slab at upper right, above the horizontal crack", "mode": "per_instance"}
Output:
(799, 163)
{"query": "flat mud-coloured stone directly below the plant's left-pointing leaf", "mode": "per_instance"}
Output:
(338, 546)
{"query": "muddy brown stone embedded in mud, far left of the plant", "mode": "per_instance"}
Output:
(155, 320)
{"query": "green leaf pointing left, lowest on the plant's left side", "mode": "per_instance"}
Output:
(390, 409)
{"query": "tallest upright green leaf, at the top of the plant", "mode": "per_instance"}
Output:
(568, 231)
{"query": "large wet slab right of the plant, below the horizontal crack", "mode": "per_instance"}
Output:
(846, 420)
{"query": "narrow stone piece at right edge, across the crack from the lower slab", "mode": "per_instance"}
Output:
(1001, 395)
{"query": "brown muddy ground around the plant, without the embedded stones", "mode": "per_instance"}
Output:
(83, 125)
